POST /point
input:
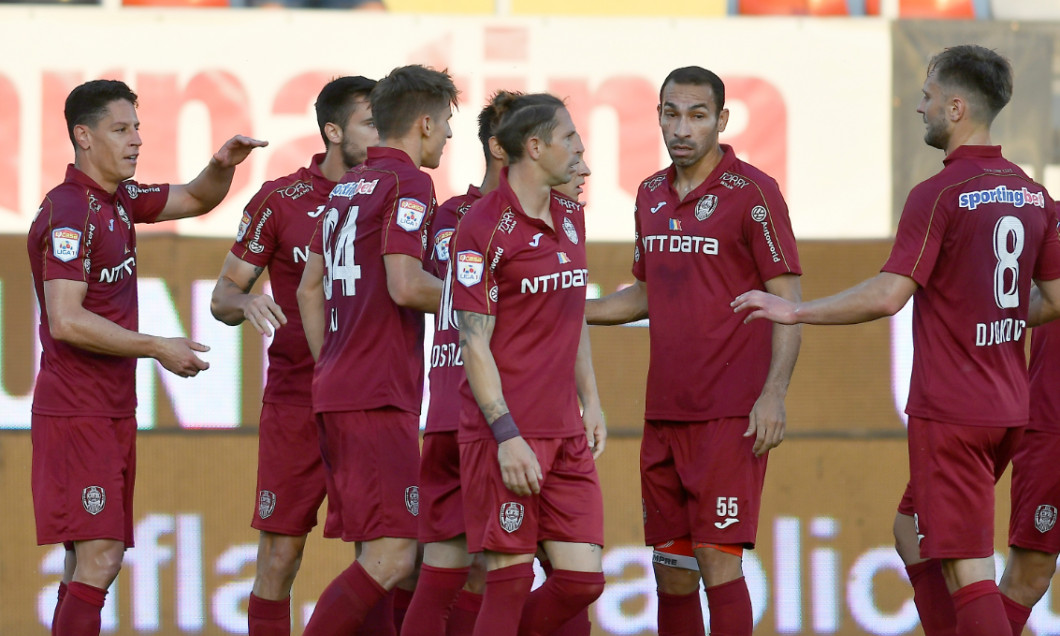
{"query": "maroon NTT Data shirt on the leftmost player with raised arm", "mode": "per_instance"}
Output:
(84, 234)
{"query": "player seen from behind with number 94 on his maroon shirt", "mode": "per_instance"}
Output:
(363, 296)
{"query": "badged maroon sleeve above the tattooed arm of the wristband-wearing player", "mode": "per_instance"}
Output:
(475, 286)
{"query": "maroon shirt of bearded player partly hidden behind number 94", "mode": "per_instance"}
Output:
(275, 233)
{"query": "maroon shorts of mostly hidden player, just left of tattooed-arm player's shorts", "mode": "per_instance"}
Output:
(441, 503)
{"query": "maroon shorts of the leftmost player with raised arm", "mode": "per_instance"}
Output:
(84, 470)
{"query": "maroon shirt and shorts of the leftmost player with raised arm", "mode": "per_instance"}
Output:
(84, 403)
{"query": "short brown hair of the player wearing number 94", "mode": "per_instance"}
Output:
(408, 94)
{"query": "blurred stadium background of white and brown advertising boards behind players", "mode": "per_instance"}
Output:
(826, 104)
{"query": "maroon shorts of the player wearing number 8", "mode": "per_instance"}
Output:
(953, 469)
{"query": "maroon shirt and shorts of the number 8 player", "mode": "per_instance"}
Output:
(980, 225)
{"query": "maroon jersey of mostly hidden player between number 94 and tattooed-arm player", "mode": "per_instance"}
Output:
(447, 368)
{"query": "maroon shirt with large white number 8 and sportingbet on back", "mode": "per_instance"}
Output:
(973, 238)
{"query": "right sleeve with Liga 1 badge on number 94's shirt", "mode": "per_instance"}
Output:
(407, 216)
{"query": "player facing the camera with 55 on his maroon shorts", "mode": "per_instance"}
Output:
(708, 227)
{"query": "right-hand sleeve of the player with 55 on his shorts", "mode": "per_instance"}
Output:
(769, 233)
